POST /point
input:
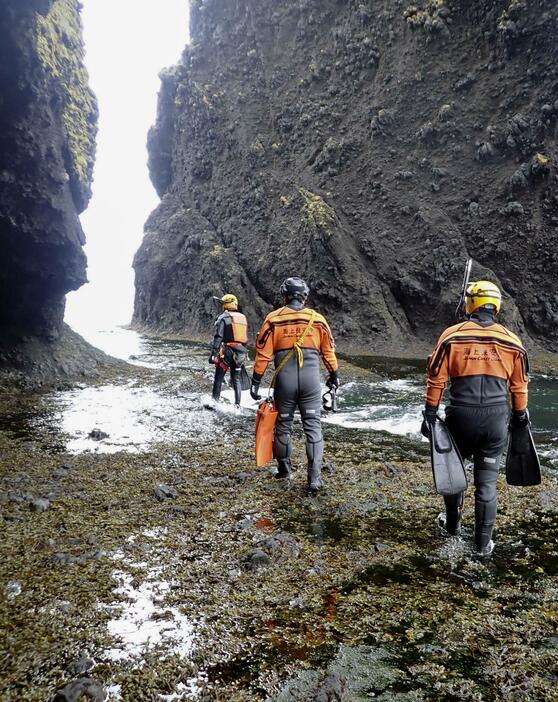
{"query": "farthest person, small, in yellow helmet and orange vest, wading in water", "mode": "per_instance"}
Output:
(228, 350)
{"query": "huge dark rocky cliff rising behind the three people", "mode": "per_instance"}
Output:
(369, 146)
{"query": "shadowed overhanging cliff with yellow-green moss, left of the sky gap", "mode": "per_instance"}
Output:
(47, 142)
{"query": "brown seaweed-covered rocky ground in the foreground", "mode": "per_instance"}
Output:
(180, 571)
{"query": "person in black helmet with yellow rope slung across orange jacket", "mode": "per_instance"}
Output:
(294, 337)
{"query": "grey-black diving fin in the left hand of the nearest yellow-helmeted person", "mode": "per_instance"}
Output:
(447, 464)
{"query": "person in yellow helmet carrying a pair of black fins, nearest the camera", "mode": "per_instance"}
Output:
(485, 365)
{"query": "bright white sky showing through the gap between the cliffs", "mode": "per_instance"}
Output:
(127, 43)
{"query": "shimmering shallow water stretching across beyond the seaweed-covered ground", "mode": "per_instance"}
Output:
(136, 417)
